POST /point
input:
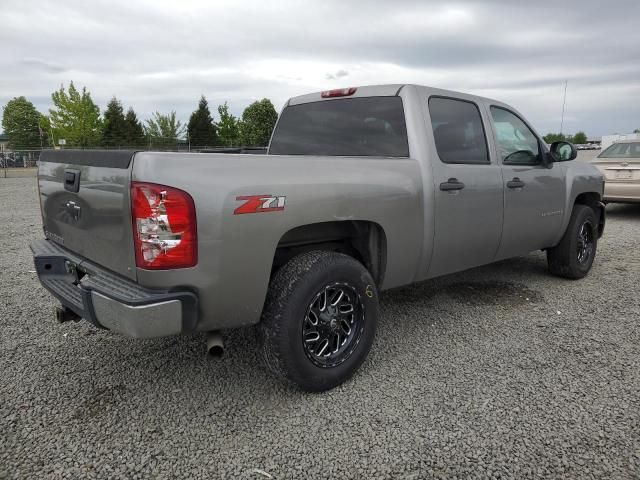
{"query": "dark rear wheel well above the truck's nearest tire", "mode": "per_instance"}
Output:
(362, 240)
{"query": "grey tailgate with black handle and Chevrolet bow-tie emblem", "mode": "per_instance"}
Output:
(85, 203)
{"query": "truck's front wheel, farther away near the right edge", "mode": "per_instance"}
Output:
(573, 256)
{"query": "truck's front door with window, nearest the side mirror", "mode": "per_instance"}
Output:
(534, 195)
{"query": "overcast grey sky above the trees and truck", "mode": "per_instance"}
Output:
(162, 55)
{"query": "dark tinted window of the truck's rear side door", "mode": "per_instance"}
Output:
(458, 131)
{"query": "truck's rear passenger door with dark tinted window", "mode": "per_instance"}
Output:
(467, 186)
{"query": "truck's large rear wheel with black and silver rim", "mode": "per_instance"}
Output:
(295, 298)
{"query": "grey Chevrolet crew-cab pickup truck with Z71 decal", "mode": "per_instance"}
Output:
(362, 189)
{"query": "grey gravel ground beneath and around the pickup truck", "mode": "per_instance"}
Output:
(501, 371)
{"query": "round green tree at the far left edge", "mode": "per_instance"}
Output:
(21, 123)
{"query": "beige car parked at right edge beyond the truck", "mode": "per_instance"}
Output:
(620, 165)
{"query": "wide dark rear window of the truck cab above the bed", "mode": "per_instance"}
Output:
(368, 126)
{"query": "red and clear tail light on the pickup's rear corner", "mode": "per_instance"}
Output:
(164, 227)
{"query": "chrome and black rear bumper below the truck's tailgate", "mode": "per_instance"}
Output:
(110, 301)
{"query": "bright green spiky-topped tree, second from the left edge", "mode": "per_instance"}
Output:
(75, 118)
